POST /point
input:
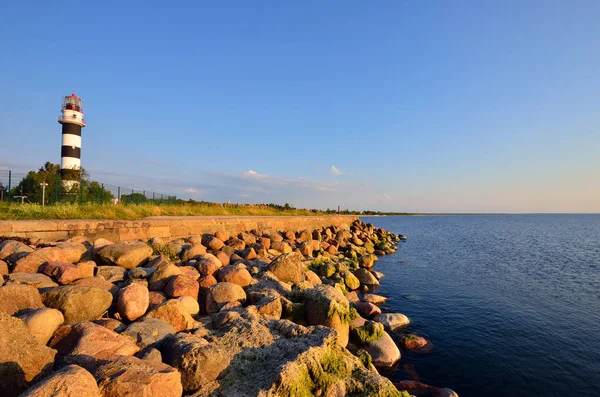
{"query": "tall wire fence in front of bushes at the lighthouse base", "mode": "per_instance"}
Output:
(51, 189)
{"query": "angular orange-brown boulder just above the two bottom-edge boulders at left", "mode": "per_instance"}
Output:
(86, 339)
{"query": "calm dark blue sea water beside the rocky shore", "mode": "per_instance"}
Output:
(510, 302)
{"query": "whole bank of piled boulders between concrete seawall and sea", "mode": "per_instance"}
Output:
(261, 313)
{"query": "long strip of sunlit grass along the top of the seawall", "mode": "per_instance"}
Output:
(18, 211)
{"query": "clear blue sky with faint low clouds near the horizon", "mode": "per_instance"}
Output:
(440, 106)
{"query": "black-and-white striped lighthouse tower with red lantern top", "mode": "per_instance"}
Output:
(72, 121)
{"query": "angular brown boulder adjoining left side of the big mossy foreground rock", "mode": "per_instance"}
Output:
(198, 361)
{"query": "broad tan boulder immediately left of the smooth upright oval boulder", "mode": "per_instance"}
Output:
(78, 303)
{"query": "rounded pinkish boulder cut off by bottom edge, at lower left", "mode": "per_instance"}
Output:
(69, 381)
